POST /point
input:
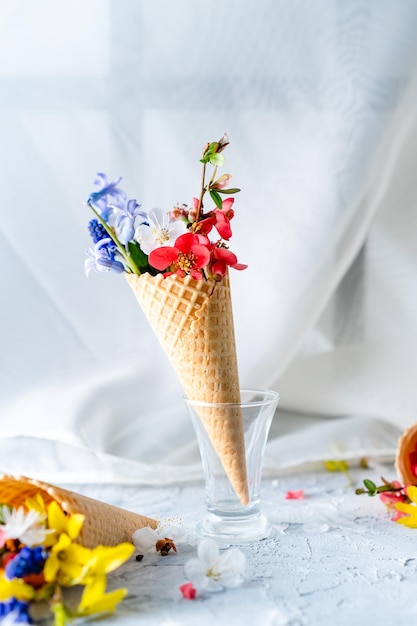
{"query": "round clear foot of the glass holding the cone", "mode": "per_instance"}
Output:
(235, 530)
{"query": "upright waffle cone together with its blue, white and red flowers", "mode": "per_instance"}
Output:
(177, 262)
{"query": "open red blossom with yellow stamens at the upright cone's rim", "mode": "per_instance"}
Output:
(188, 256)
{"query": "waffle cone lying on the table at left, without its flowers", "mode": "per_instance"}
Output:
(104, 524)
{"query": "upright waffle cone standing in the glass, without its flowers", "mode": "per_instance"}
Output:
(193, 322)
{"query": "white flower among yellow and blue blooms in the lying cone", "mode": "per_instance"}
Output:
(23, 526)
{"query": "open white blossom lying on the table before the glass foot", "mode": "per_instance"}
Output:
(213, 570)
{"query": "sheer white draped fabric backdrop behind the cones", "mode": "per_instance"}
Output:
(318, 99)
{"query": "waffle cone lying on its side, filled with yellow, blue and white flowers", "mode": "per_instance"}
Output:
(52, 540)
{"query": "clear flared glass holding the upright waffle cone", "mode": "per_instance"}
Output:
(228, 520)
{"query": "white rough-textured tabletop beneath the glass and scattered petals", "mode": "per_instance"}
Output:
(336, 560)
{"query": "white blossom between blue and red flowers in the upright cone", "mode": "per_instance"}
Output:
(161, 231)
